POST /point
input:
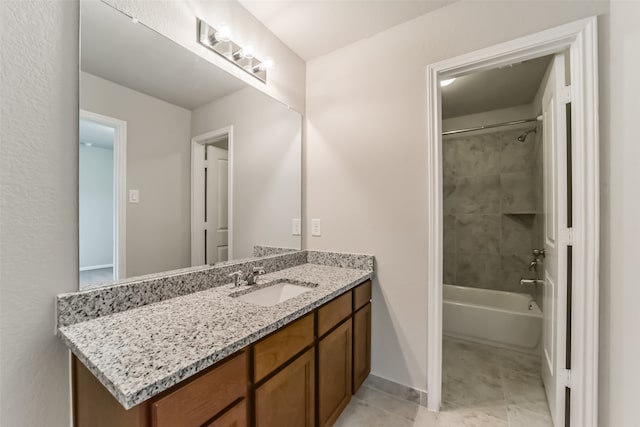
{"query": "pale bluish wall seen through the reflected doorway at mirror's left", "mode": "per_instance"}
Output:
(96, 206)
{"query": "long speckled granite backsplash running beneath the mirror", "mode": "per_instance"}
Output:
(90, 304)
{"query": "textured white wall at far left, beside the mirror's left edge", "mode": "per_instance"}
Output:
(38, 205)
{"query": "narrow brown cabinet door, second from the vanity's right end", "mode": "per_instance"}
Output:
(334, 373)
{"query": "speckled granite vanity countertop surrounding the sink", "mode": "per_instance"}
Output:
(141, 352)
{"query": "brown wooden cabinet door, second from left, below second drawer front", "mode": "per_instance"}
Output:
(288, 398)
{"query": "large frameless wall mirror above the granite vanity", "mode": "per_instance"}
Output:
(181, 164)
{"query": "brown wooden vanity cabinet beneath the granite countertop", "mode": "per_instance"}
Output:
(302, 375)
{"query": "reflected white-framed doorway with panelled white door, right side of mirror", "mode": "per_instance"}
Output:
(211, 197)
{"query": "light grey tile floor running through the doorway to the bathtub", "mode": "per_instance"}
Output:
(483, 386)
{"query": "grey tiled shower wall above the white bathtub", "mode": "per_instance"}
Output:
(492, 199)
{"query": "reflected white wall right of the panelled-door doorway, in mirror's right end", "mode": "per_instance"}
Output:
(267, 185)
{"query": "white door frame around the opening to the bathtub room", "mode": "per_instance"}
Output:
(580, 37)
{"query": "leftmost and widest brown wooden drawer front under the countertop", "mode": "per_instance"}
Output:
(201, 399)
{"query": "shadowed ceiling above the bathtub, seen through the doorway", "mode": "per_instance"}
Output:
(503, 87)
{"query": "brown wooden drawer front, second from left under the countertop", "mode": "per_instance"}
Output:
(270, 353)
